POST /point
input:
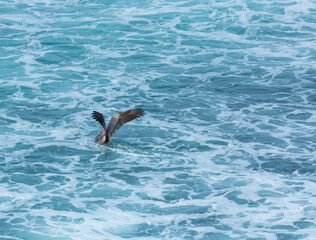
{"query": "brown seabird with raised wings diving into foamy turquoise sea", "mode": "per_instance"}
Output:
(117, 121)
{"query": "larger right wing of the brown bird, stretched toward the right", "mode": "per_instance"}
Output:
(119, 119)
